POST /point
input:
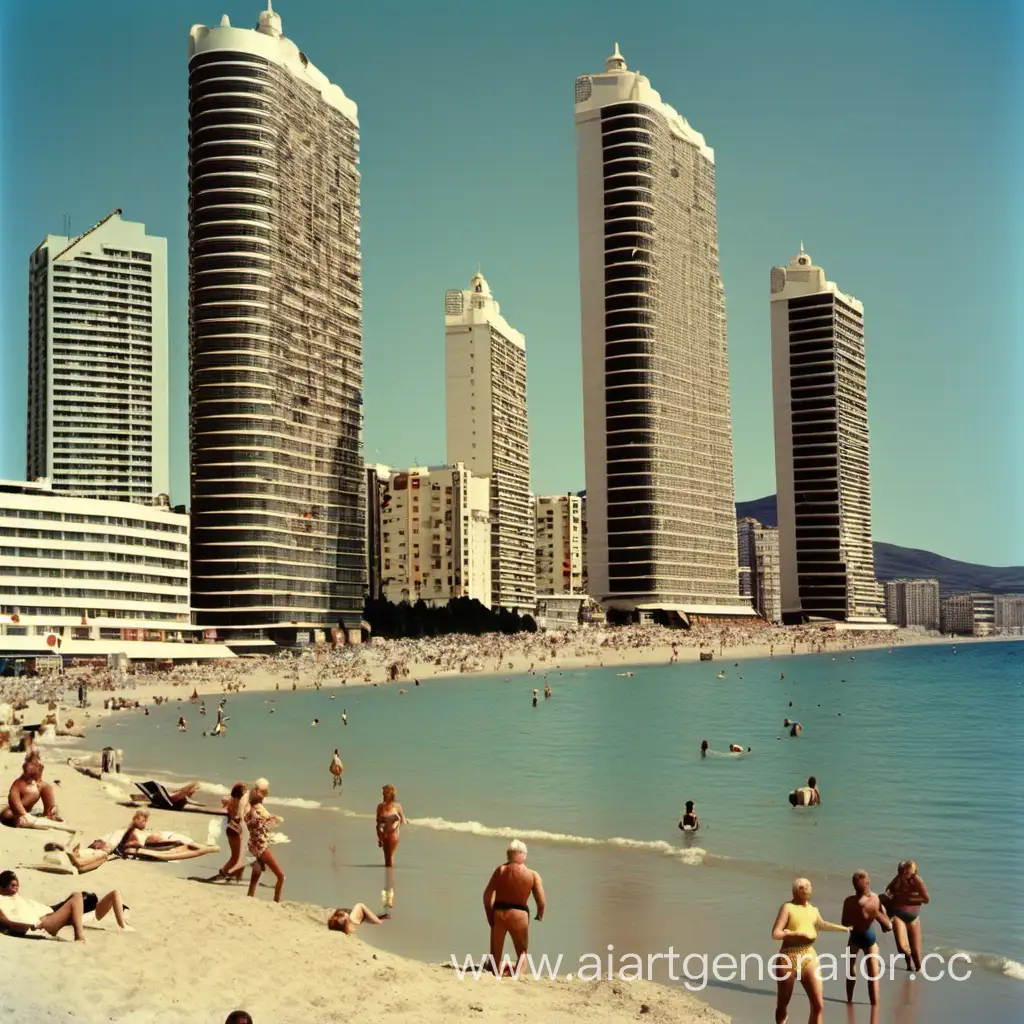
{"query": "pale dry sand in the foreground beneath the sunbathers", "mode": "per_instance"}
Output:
(282, 978)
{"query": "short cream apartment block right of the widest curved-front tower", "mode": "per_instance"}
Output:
(436, 535)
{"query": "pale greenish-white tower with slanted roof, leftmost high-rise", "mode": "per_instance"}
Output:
(98, 363)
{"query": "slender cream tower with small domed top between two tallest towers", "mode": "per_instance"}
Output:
(486, 403)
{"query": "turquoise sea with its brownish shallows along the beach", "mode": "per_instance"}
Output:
(917, 754)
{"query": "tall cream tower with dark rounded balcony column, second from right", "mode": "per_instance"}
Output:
(661, 520)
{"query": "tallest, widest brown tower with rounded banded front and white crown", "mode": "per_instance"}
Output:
(276, 342)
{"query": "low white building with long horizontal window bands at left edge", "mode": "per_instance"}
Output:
(91, 577)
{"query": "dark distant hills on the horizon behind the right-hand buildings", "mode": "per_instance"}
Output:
(893, 562)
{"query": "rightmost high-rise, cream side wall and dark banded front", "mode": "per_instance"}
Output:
(822, 453)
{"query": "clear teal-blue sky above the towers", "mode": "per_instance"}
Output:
(883, 133)
